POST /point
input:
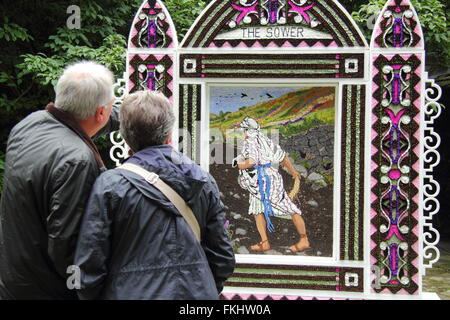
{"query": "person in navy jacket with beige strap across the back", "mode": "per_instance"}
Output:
(134, 243)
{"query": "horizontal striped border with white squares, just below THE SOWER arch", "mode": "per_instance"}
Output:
(331, 66)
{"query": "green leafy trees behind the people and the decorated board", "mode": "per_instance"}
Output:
(36, 44)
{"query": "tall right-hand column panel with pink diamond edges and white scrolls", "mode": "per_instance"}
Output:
(395, 171)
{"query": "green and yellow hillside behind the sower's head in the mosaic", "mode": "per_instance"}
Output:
(291, 113)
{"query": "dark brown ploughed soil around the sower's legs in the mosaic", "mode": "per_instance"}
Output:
(316, 207)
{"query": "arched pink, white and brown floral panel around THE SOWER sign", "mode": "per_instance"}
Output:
(321, 15)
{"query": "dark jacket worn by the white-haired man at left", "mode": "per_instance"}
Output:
(49, 173)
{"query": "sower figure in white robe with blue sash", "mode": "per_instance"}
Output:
(262, 180)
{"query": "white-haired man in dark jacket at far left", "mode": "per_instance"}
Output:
(51, 165)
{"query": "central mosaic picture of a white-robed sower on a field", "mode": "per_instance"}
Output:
(289, 133)
